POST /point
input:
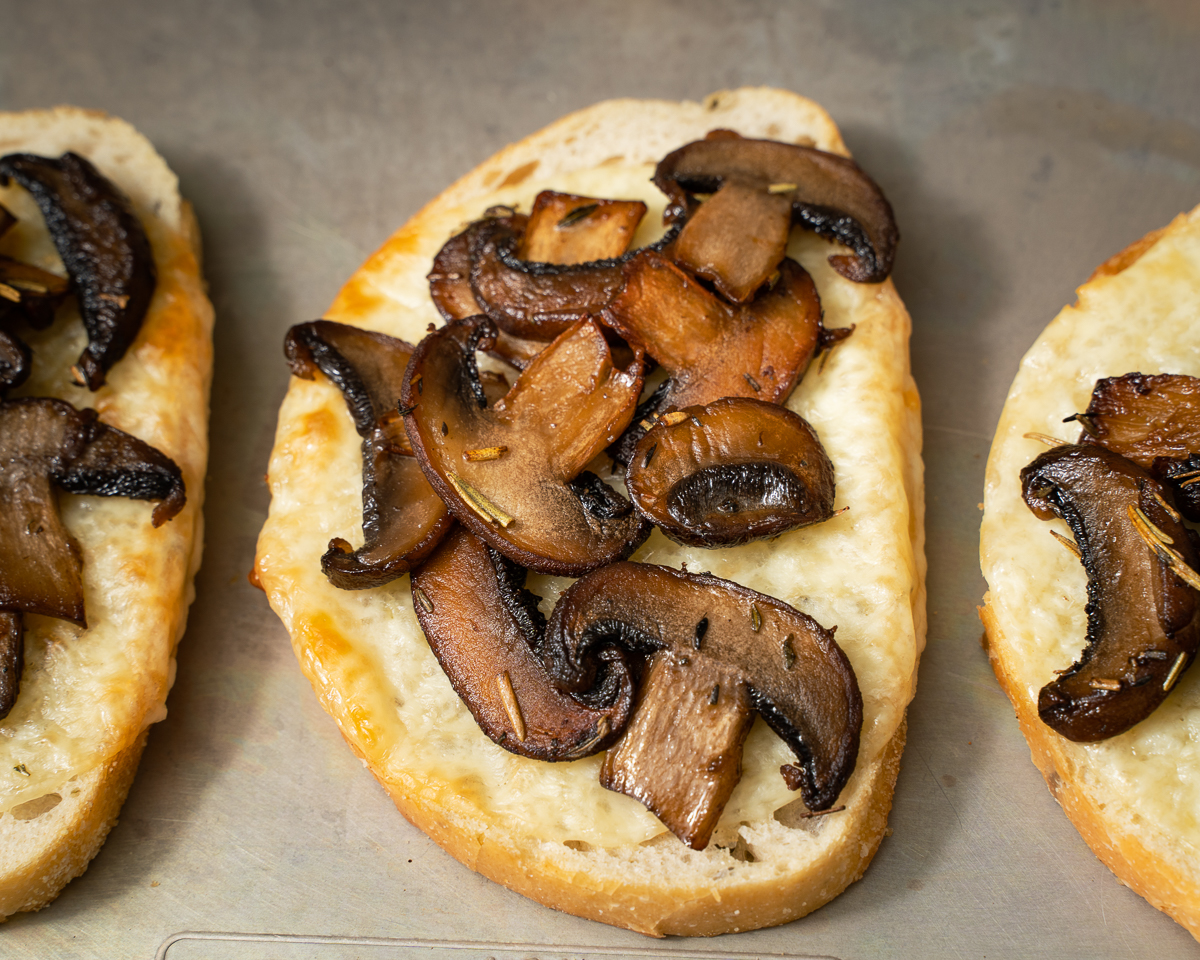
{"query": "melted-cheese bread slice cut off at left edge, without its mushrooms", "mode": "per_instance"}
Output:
(71, 745)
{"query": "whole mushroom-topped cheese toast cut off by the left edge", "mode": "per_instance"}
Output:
(105, 368)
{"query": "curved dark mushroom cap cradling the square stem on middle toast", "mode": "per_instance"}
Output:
(535, 301)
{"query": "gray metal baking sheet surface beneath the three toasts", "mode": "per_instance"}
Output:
(1021, 145)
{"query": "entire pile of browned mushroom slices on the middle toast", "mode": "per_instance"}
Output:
(688, 661)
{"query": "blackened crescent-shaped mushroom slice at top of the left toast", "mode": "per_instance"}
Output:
(104, 248)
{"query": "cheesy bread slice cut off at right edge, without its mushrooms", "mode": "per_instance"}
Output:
(1135, 797)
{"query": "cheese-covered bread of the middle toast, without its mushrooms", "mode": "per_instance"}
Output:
(550, 830)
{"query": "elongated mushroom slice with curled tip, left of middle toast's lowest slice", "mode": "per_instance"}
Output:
(485, 629)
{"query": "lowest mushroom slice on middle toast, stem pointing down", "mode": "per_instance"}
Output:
(718, 653)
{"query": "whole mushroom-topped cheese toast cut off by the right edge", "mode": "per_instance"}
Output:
(1090, 551)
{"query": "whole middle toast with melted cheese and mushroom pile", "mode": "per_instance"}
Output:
(574, 485)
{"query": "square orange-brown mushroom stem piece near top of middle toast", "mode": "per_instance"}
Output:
(567, 229)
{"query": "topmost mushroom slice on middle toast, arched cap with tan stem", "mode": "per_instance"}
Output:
(760, 188)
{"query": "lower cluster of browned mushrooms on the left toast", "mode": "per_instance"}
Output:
(45, 443)
